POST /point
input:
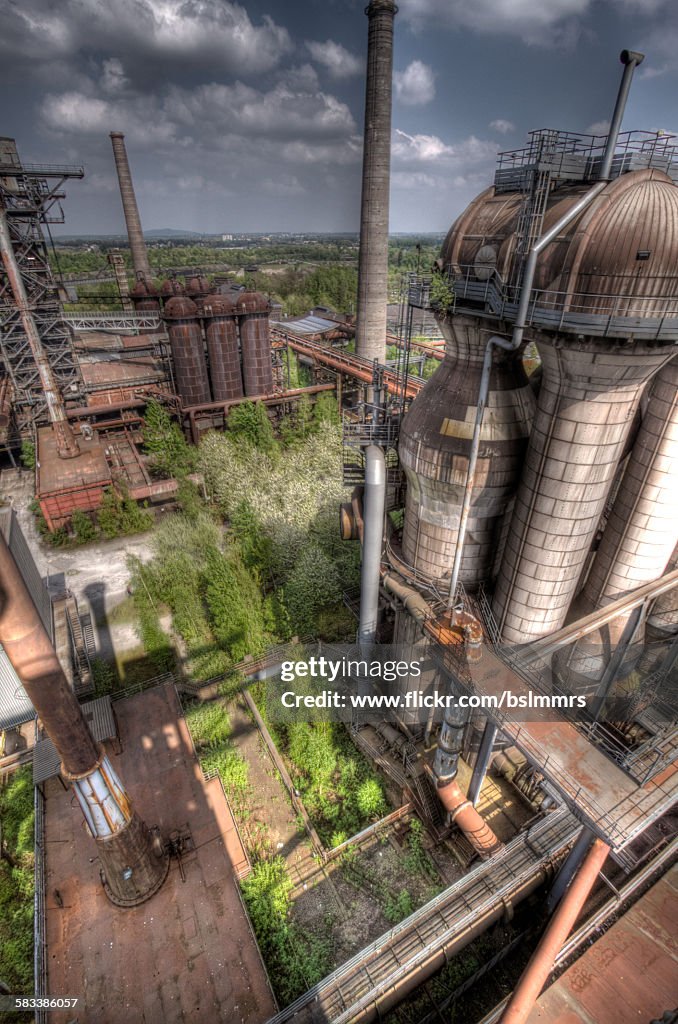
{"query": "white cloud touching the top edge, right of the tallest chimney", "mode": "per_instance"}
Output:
(544, 24)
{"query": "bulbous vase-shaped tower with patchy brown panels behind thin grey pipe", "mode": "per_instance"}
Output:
(435, 447)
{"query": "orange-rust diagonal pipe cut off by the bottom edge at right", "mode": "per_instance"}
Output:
(541, 963)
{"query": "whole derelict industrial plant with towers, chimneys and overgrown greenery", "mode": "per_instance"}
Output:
(497, 841)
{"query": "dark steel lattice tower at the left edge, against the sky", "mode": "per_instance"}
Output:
(30, 196)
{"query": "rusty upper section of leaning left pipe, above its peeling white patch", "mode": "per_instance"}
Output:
(32, 656)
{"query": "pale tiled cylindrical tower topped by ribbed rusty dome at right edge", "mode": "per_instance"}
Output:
(590, 392)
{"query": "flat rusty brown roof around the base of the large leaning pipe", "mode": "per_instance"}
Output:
(189, 954)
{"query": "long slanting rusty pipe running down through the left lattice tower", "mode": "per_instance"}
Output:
(67, 446)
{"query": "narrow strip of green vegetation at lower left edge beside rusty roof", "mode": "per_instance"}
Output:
(17, 882)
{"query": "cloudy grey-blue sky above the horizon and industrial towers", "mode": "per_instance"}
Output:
(248, 116)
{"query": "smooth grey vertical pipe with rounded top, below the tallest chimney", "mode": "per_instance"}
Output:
(374, 504)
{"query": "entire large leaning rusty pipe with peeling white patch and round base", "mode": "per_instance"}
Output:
(135, 868)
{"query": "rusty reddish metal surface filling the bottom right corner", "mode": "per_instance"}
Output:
(629, 974)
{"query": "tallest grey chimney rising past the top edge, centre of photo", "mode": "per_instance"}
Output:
(373, 261)
